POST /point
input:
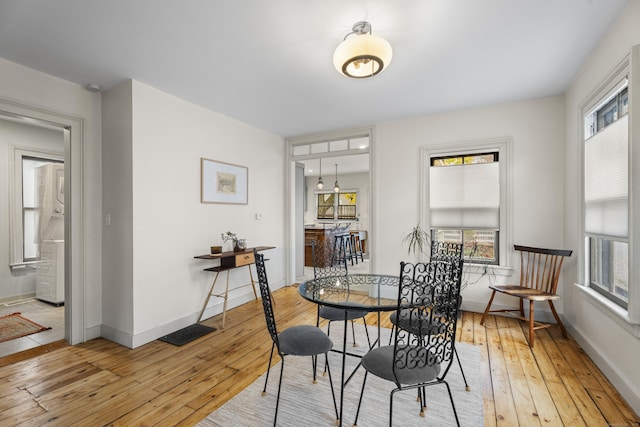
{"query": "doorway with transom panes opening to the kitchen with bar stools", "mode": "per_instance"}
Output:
(345, 158)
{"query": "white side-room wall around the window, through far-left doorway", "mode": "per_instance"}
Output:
(19, 282)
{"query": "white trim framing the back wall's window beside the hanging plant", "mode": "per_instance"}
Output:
(502, 145)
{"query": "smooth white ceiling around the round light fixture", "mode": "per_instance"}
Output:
(269, 63)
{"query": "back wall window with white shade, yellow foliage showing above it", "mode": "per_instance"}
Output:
(464, 201)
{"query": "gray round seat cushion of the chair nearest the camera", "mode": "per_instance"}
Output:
(379, 362)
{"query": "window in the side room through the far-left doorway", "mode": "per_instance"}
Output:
(27, 224)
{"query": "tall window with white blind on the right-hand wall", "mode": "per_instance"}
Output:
(606, 195)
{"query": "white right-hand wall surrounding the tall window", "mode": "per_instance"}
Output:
(605, 336)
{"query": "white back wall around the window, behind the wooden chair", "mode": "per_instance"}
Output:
(536, 128)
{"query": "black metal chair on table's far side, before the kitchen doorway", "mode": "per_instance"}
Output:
(326, 264)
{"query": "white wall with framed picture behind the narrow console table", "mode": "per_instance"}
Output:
(169, 224)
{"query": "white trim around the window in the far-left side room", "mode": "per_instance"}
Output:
(16, 241)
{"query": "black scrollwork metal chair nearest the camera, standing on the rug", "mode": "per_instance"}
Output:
(428, 295)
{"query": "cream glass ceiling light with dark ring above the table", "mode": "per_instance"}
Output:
(363, 55)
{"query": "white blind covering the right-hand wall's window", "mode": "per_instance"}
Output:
(606, 186)
